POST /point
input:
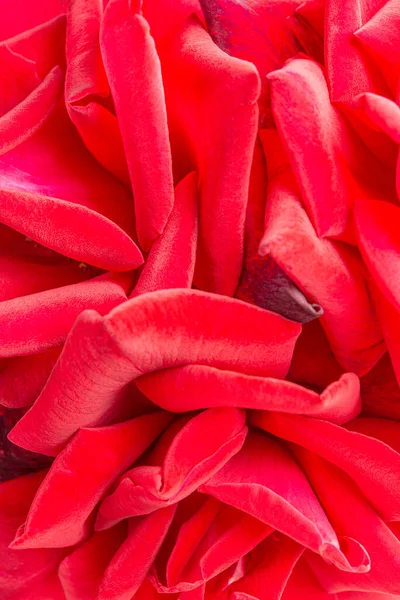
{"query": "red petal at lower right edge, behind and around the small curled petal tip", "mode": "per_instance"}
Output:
(352, 515)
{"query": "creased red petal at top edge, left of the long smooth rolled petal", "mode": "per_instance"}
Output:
(88, 96)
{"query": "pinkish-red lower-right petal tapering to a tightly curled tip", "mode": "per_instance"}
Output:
(264, 481)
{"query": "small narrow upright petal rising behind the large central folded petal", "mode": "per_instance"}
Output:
(170, 263)
